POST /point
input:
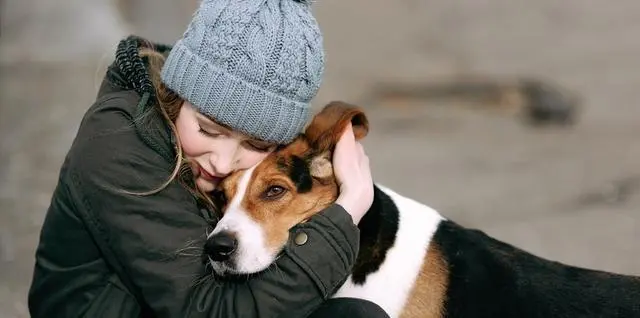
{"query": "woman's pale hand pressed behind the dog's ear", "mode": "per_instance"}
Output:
(353, 174)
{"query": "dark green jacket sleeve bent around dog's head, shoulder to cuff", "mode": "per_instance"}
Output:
(156, 240)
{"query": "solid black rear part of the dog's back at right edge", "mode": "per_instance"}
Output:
(489, 278)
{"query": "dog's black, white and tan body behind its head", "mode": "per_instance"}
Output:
(414, 263)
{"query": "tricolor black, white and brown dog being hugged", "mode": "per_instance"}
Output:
(412, 261)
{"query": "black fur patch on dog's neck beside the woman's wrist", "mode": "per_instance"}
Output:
(378, 230)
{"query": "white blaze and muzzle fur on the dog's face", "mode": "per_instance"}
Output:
(251, 254)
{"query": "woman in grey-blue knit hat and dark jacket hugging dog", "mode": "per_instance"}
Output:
(124, 231)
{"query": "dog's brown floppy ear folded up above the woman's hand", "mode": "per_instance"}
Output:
(327, 126)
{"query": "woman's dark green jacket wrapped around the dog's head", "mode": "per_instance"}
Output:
(104, 253)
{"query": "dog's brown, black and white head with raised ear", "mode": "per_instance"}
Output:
(261, 204)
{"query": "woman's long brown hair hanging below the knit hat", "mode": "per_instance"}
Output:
(169, 103)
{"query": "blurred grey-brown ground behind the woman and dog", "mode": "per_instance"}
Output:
(451, 88)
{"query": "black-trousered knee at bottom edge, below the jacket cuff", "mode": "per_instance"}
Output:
(349, 308)
